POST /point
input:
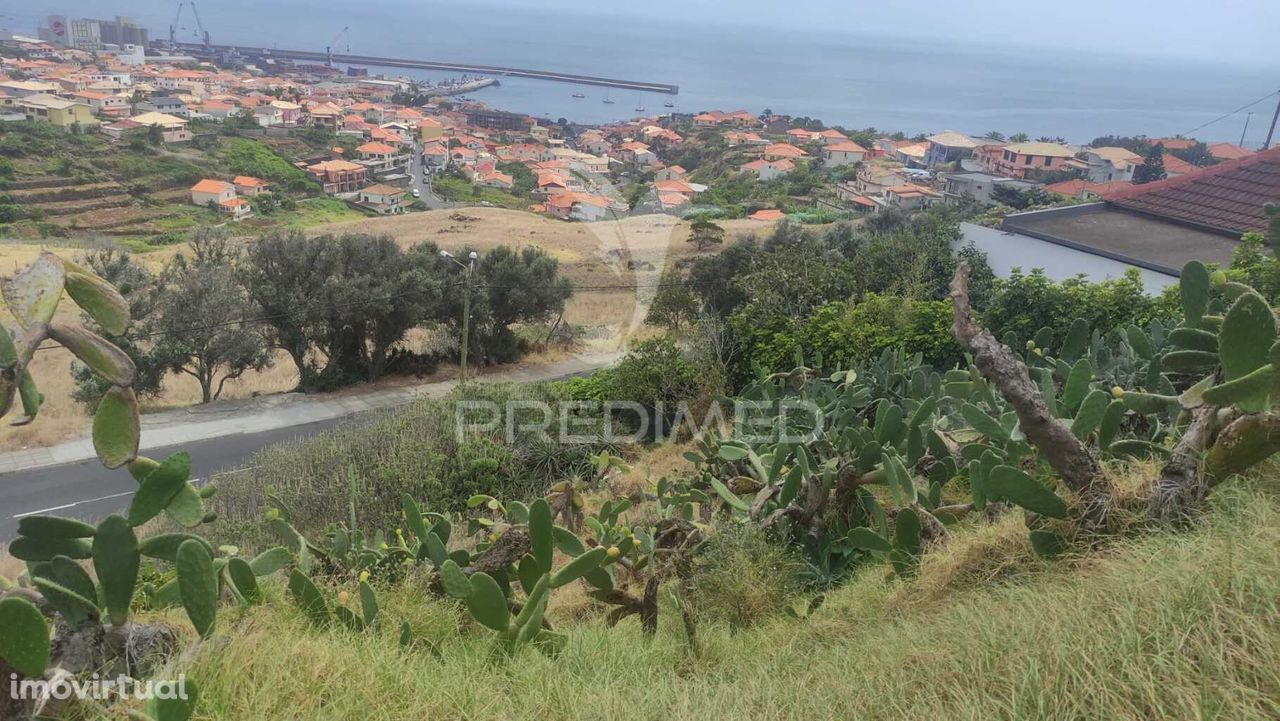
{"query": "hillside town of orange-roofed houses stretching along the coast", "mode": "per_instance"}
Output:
(380, 147)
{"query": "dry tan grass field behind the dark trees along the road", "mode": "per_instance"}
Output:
(615, 267)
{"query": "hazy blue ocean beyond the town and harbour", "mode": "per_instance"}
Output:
(849, 80)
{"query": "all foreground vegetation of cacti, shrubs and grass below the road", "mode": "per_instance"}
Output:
(862, 513)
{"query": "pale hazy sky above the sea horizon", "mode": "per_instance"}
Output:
(1235, 31)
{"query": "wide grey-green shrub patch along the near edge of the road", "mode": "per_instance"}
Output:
(414, 450)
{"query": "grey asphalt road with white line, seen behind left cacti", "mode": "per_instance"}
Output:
(90, 492)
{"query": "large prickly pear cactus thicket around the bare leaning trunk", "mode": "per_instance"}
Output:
(1021, 431)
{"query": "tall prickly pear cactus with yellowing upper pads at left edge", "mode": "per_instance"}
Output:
(93, 614)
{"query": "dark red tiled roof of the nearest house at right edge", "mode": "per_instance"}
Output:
(1226, 198)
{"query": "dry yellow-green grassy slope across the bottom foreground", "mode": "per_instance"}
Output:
(1165, 627)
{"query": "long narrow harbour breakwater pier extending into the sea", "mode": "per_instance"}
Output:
(348, 60)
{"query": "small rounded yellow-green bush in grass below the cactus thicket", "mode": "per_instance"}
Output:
(744, 578)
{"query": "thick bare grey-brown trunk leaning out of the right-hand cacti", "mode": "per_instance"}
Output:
(1078, 468)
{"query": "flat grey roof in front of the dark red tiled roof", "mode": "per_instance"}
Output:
(1130, 238)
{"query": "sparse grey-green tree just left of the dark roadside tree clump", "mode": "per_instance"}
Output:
(200, 308)
